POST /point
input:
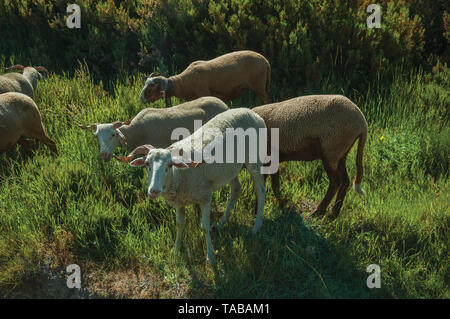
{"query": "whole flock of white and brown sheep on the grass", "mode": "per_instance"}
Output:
(311, 127)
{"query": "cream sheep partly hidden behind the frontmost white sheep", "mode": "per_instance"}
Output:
(154, 126)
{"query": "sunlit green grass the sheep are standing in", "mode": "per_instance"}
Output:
(73, 208)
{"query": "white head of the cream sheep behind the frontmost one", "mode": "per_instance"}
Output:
(109, 137)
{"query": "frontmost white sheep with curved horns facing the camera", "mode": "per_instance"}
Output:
(182, 181)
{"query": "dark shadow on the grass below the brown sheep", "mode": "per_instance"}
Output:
(286, 259)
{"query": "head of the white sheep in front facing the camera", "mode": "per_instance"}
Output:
(159, 163)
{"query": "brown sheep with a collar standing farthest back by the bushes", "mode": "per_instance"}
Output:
(227, 77)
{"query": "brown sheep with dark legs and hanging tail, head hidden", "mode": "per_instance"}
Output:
(319, 127)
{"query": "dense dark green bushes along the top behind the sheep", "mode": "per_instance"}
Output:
(302, 39)
